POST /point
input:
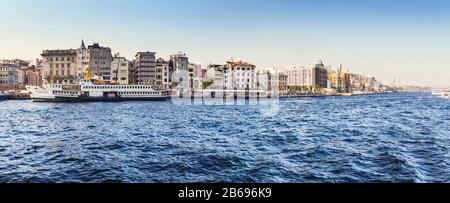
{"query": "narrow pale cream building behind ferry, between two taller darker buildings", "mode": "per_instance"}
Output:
(119, 70)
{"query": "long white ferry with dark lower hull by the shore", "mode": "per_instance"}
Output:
(90, 92)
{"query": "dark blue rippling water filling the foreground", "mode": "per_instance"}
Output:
(393, 138)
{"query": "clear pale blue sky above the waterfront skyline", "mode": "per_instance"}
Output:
(408, 40)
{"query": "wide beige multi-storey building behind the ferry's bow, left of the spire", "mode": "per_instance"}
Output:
(59, 66)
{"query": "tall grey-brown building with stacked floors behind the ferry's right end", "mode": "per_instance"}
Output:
(145, 68)
